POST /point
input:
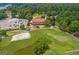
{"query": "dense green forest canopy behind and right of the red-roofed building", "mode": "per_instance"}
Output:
(67, 14)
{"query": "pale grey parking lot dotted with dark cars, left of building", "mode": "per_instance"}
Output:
(12, 23)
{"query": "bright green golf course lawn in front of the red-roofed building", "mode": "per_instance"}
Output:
(59, 42)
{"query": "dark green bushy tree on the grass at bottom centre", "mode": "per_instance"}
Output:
(40, 48)
